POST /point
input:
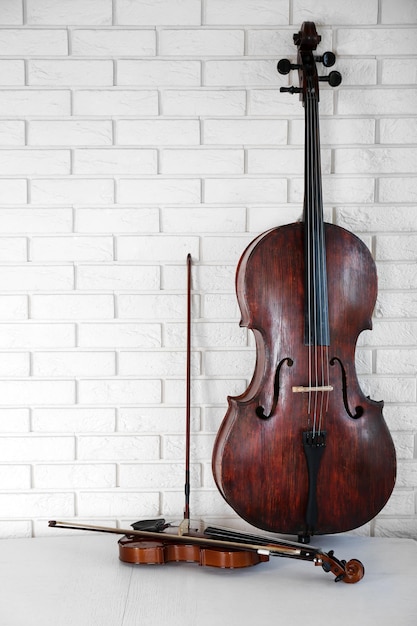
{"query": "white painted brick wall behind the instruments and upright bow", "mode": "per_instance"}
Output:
(132, 133)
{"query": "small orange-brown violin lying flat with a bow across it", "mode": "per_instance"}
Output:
(216, 548)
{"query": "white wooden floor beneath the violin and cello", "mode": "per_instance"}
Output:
(79, 581)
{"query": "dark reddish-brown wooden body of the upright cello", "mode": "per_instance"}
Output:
(259, 463)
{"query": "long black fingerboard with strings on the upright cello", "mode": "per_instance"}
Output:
(317, 331)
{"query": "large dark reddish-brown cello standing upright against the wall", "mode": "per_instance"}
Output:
(303, 451)
